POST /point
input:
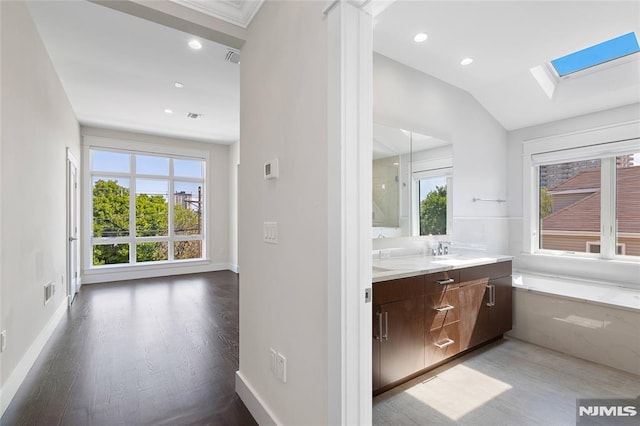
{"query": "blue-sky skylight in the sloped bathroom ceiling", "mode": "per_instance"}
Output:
(595, 55)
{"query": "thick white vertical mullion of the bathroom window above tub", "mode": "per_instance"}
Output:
(608, 207)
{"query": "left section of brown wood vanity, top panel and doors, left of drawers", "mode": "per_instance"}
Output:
(398, 330)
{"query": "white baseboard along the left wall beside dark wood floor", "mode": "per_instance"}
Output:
(11, 386)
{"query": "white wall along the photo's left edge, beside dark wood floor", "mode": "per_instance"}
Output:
(38, 125)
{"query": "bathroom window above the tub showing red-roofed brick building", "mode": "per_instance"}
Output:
(590, 205)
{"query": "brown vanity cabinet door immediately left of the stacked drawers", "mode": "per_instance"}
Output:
(402, 343)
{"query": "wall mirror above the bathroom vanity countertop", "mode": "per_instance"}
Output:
(412, 184)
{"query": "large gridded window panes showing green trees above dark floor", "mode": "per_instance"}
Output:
(145, 208)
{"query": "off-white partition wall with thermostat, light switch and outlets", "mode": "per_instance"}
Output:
(283, 287)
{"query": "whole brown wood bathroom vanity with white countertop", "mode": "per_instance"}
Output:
(428, 309)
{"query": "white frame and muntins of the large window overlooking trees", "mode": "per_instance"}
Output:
(146, 149)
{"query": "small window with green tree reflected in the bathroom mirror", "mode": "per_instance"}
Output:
(432, 207)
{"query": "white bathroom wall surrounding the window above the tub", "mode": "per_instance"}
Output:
(607, 271)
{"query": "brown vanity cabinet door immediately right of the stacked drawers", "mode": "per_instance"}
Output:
(473, 313)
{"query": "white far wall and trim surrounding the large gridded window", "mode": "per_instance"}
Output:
(217, 193)
